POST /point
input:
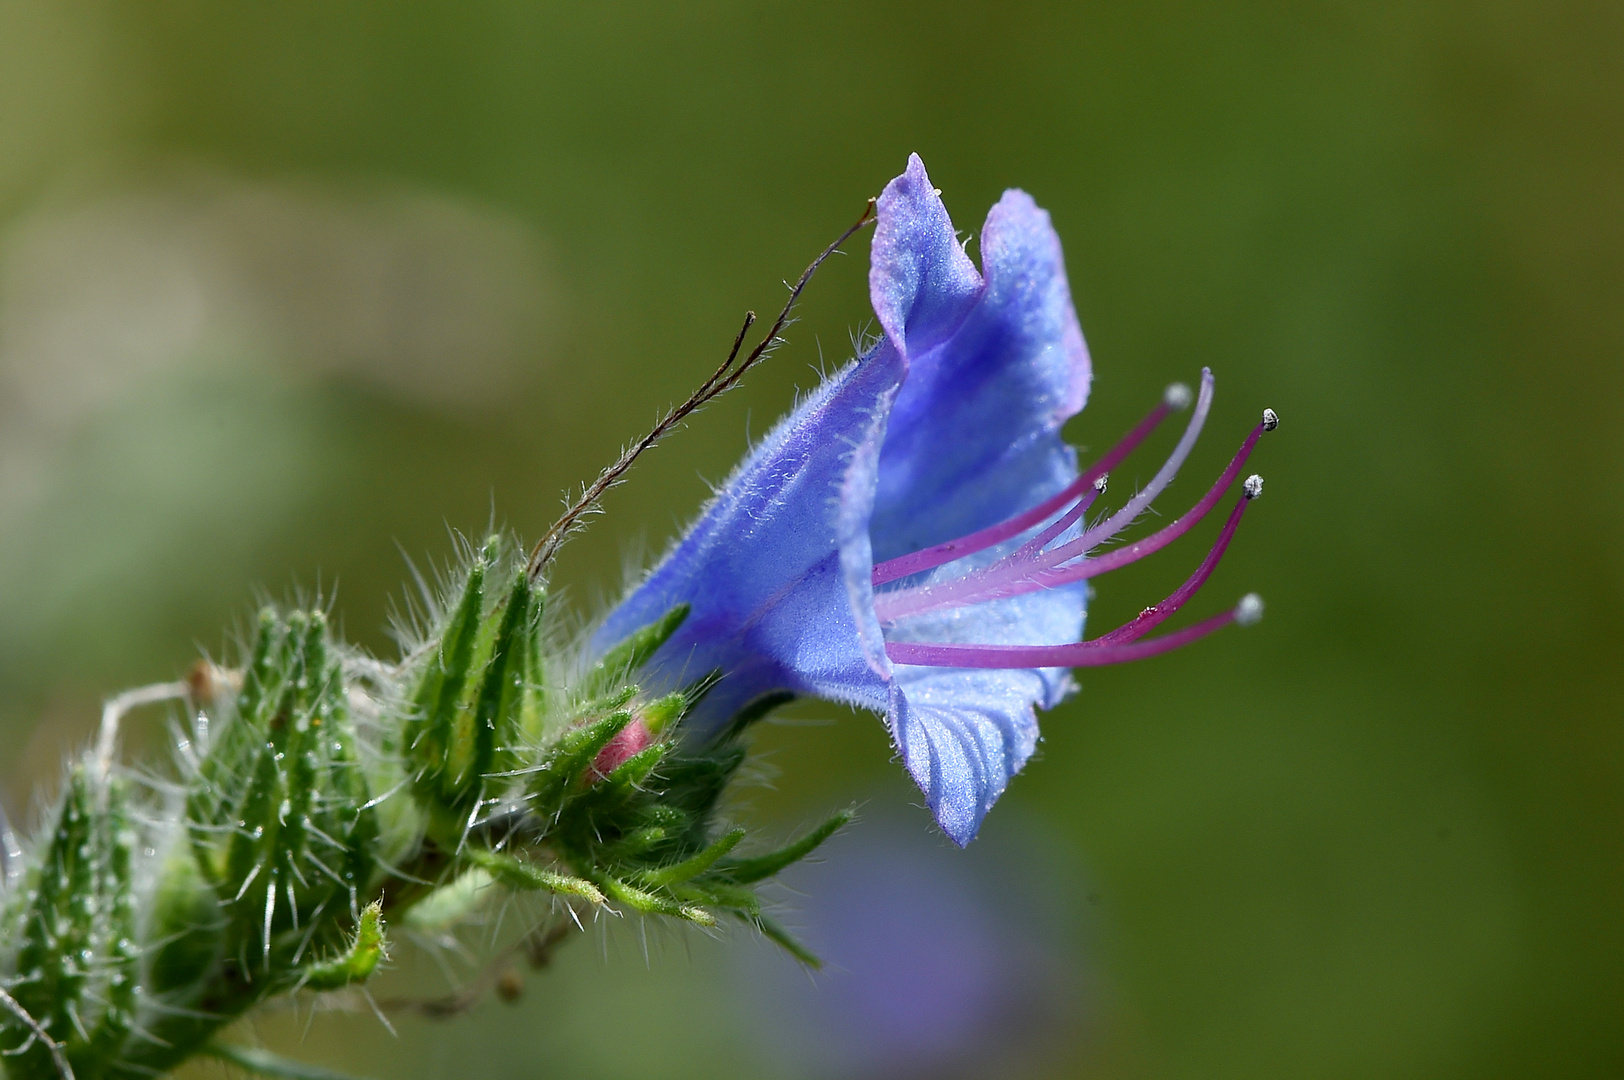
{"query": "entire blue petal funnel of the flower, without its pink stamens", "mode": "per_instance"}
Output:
(951, 425)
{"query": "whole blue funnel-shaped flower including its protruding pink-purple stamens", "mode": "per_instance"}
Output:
(912, 538)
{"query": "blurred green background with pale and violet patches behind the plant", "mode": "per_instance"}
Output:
(288, 290)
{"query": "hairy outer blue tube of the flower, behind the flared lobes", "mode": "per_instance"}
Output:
(761, 569)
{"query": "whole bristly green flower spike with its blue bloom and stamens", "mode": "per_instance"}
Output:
(913, 540)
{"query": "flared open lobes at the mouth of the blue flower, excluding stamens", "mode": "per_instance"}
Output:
(995, 371)
